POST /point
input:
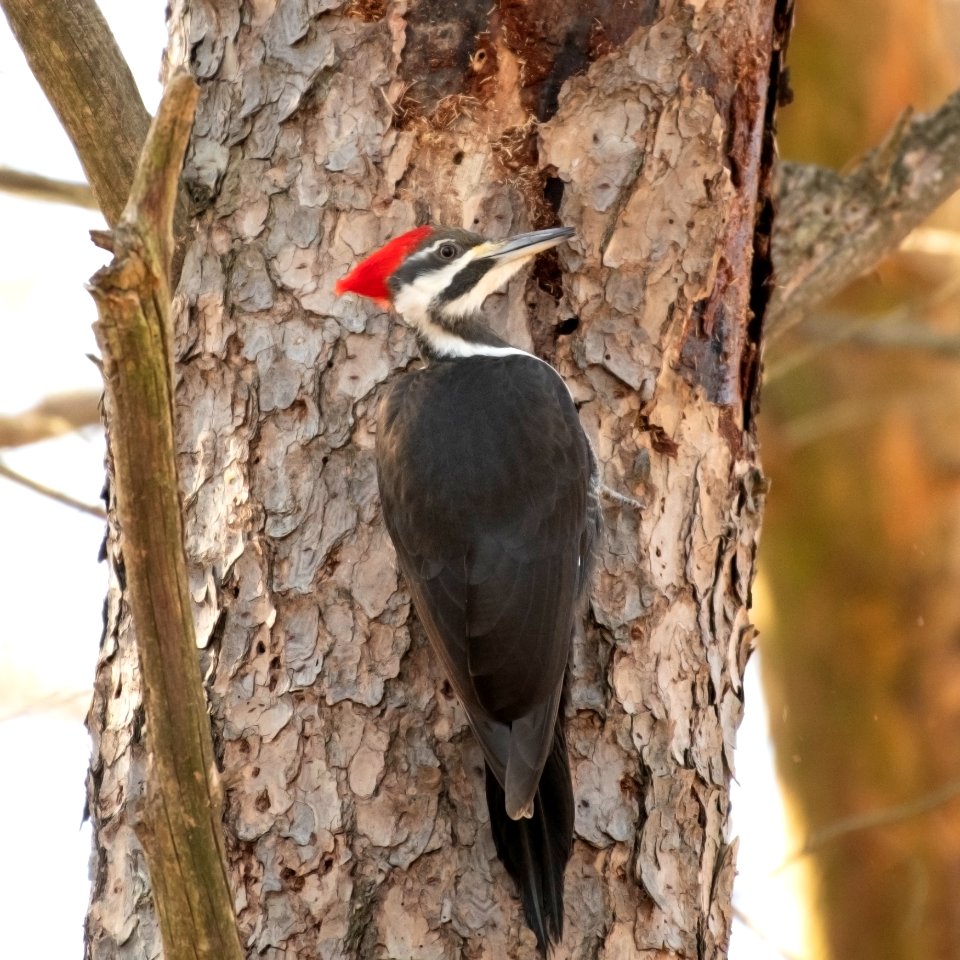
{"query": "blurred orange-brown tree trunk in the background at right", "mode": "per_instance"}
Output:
(861, 663)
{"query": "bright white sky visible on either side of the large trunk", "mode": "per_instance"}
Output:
(52, 586)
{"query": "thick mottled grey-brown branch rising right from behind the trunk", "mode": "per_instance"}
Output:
(831, 227)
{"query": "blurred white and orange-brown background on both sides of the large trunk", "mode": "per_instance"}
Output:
(848, 797)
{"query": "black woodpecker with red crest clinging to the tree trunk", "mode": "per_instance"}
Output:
(488, 484)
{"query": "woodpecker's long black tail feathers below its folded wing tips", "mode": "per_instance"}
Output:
(535, 851)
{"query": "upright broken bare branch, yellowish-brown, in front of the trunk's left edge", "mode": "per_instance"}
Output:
(181, 821)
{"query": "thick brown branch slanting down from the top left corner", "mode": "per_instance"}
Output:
(77, 62)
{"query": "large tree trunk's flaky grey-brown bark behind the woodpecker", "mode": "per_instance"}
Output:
(355, 821)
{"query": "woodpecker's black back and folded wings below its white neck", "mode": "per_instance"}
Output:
(485, 476)
